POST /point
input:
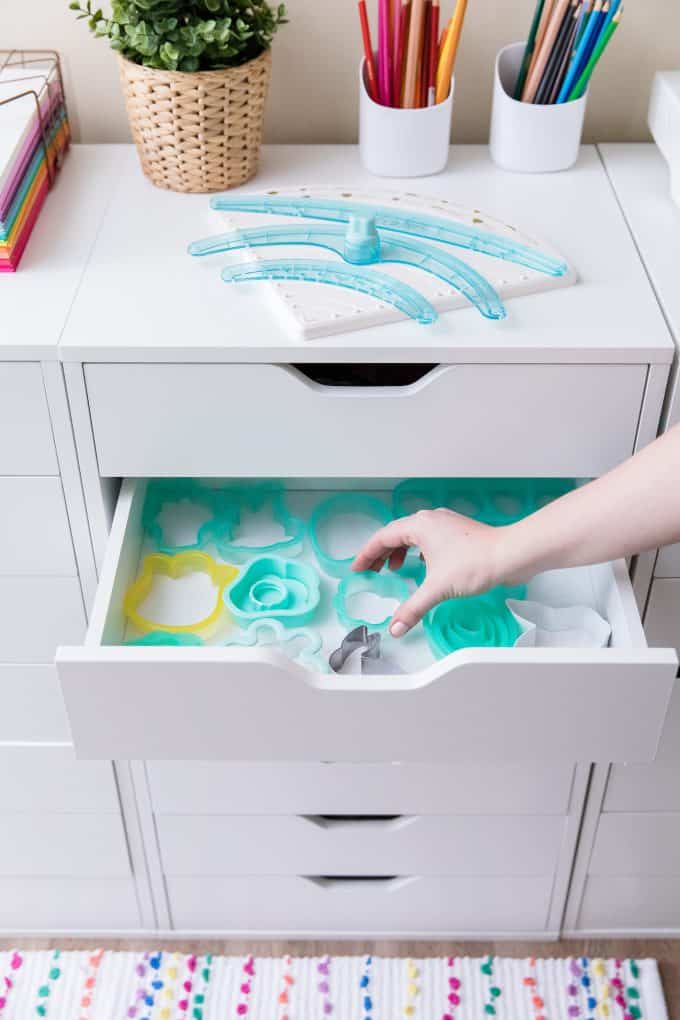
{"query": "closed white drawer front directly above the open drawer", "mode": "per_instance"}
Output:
(526, 420)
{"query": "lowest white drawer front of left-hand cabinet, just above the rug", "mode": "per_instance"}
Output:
(54, 905)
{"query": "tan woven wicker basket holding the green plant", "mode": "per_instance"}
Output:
(197, 132)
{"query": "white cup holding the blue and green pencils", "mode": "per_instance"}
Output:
(529, 137)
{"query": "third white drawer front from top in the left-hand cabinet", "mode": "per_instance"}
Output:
(38, 615)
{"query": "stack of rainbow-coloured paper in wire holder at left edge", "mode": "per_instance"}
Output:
(34, 137)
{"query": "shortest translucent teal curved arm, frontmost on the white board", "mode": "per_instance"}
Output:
(378, 285)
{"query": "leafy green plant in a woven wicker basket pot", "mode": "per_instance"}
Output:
(195, 76)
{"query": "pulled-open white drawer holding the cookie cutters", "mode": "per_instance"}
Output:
(236, 703)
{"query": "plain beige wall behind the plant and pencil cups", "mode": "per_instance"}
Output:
(315, 88)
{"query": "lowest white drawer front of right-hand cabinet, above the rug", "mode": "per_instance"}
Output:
(631, 903)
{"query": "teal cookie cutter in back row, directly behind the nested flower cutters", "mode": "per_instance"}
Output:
(224, 531)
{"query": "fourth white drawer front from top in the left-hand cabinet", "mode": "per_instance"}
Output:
(32, 707)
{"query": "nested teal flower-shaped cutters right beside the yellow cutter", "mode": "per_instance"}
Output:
(273, 587)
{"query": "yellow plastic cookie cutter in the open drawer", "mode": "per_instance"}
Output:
(178, 566)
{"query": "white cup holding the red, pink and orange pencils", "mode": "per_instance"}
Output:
(397, 143)
